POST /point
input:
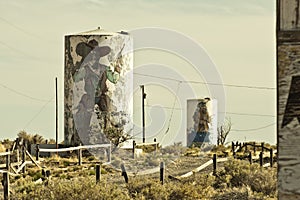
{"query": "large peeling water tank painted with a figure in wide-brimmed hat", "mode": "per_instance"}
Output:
(97, 86)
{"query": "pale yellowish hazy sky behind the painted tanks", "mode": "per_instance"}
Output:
(238, 35)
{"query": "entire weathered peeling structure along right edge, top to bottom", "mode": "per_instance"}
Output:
(288, 98)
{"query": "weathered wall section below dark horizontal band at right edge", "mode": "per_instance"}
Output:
(288, 117)
